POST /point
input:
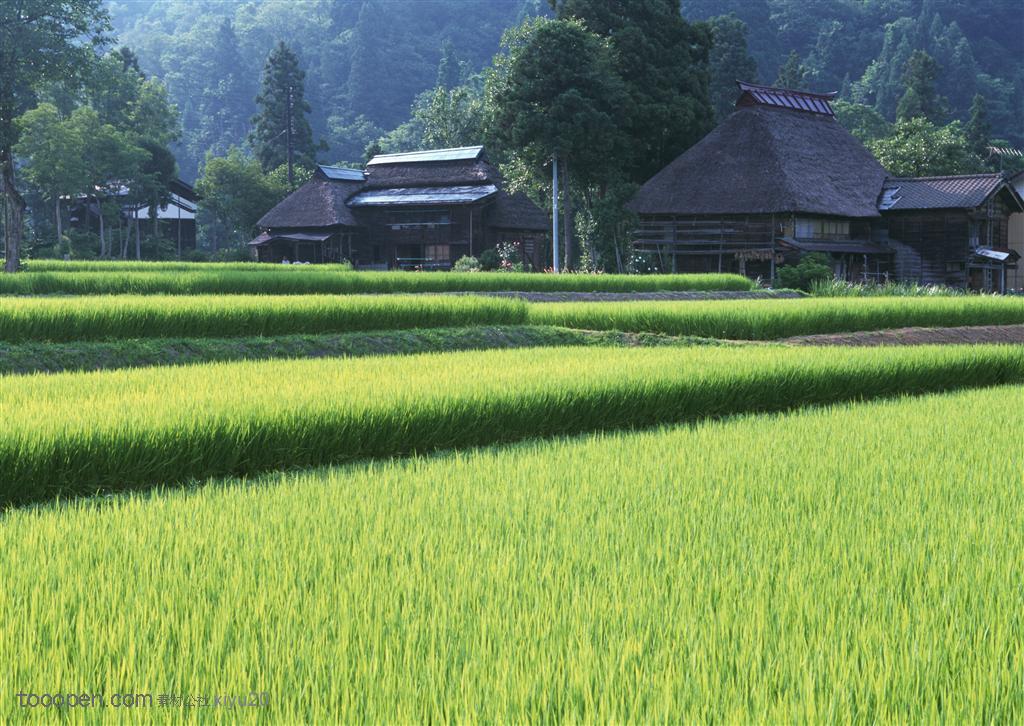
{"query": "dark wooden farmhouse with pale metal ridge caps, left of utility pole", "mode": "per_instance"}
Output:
(422, 210)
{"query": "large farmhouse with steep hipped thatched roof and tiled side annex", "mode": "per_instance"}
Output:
(782, 178)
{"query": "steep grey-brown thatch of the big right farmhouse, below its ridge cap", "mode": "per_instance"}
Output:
(766, 159)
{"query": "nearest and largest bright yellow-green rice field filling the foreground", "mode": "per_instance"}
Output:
(858, 565)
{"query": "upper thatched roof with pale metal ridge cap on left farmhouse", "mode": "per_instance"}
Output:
(447, 167)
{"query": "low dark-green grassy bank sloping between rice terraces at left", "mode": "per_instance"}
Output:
(97, 356)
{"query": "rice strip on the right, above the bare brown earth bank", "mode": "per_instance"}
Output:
(766, 320)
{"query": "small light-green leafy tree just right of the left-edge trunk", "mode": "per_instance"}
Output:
(54, 149)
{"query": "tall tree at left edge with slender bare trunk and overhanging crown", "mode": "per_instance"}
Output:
(41, 41)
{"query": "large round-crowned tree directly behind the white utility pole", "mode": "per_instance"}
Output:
(558, 95)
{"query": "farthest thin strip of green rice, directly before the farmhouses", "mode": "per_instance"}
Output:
(282, 280)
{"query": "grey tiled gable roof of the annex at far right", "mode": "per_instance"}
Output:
(965, 192)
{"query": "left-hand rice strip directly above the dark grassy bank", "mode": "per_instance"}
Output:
(114, 317)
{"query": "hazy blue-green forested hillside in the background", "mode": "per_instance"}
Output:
(367, 61)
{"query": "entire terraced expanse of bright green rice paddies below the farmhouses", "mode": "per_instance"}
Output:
(626, 513)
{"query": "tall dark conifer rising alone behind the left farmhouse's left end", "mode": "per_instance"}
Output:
(282, 98)
